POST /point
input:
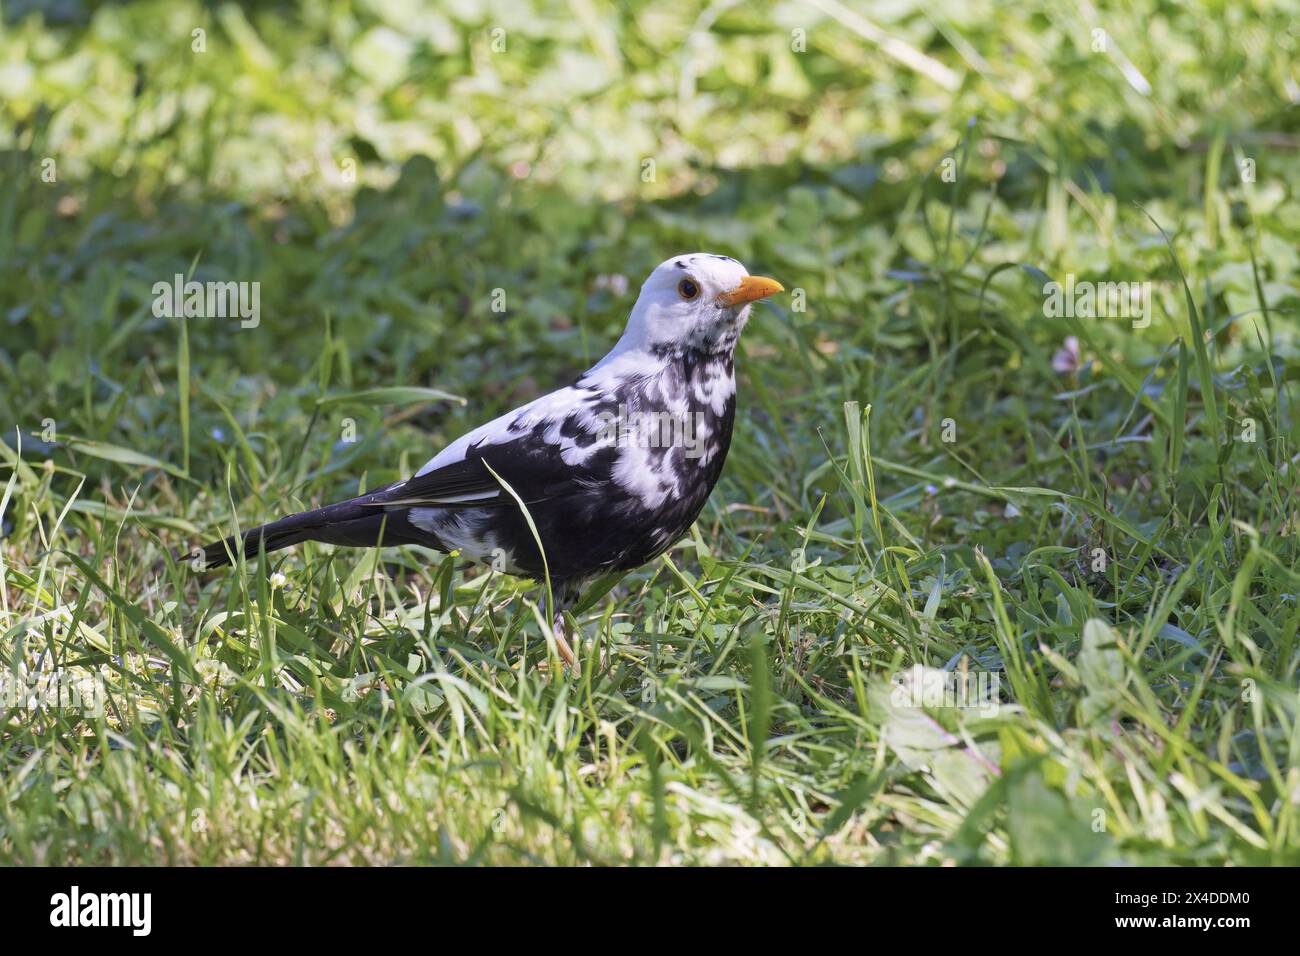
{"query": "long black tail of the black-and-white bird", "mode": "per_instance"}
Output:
(345, 524)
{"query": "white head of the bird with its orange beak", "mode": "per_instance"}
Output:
(695, 302)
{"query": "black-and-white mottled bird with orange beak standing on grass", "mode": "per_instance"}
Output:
(597, 478)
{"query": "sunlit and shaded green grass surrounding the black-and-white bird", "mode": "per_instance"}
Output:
(918, 475)
